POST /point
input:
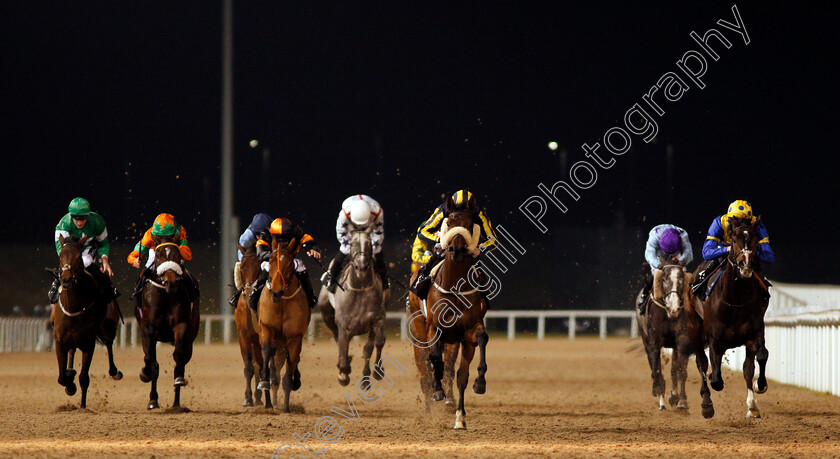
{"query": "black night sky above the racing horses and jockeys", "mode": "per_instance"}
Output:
(120, 102)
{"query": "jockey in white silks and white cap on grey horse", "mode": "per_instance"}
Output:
(359, 213)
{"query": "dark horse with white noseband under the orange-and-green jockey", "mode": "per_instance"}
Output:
(167, 315)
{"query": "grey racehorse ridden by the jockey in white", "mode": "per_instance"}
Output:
(356, 309)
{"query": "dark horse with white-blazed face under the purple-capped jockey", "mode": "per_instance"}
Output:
(666, 325)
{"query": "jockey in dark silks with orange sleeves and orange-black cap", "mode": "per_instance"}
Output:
(283, 230)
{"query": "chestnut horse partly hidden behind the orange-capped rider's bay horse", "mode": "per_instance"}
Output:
(247, 325)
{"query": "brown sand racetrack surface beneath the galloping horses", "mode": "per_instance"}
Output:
(552, 398)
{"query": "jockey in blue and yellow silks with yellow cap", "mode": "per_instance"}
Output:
(718, 244)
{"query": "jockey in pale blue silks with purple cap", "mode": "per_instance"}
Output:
(666, 242)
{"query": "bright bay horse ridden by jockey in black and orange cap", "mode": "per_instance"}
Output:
(284, 319)
